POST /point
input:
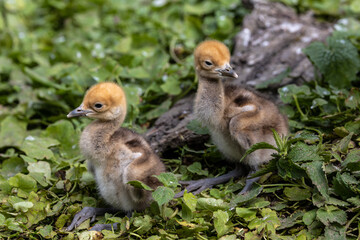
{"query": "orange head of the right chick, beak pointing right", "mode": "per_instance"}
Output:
(212, 60)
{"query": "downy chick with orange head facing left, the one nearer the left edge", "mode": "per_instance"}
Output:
(115, 155)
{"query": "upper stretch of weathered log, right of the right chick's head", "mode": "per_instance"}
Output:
(271, 41)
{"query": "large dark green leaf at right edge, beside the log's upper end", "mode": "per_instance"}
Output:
(339, 62)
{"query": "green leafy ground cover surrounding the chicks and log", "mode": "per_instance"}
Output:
(52, 51)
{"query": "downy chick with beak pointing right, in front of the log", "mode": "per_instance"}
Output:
(236, 117)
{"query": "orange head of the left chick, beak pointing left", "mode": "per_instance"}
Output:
(104, 101)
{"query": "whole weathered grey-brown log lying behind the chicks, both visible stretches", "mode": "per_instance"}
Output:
(270, 42)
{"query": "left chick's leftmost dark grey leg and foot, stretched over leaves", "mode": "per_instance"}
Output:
(86, 213)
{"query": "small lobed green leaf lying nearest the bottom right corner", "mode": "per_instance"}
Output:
(331, 214)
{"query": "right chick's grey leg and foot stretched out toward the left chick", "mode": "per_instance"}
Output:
(197, 186)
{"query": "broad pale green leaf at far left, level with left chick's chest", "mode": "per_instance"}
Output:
(37, 147)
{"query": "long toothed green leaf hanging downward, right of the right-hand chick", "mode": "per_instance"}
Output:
(317, 175)
